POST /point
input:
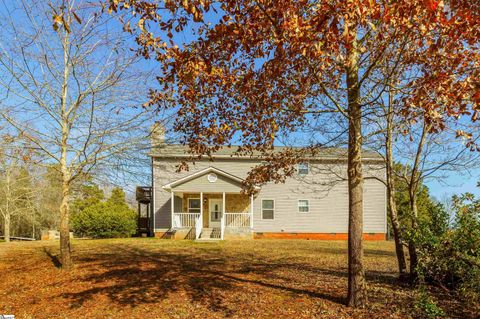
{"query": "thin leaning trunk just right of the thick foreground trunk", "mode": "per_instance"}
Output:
(402, 265)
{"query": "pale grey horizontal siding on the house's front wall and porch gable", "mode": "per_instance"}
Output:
(325, 187)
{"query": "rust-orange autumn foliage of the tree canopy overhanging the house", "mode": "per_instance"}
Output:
(248, 65)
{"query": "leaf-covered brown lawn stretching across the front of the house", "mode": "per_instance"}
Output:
(153, 278)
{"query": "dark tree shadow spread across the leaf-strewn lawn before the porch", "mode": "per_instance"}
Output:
(132, 276)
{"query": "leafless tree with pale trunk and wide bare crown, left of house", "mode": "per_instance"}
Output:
(72, 90)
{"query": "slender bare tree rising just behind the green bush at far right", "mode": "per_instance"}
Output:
(427, 155)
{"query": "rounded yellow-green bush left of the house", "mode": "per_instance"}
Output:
(105, 220)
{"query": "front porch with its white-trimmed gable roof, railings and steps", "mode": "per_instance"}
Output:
(209, 204)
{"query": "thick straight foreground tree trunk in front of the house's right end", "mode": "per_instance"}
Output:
(357, 288)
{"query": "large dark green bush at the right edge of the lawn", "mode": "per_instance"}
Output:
(449, 254)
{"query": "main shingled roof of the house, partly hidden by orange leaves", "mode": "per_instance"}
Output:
(181, 151)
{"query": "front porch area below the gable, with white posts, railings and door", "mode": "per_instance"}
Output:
(212, 215)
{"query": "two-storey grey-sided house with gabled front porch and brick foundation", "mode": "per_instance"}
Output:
(206, 202)
